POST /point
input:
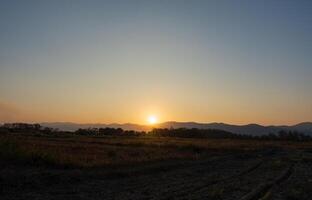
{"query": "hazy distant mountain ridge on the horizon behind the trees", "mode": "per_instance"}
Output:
(249, 129)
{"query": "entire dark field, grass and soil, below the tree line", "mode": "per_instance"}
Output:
(82, 167)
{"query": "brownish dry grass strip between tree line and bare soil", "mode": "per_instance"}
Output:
(79, 151)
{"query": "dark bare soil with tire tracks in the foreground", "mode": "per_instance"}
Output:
(267, 173)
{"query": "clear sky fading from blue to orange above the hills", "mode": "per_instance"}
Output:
(121, 61)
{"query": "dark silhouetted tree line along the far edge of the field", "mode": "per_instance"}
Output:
(157, 132)
